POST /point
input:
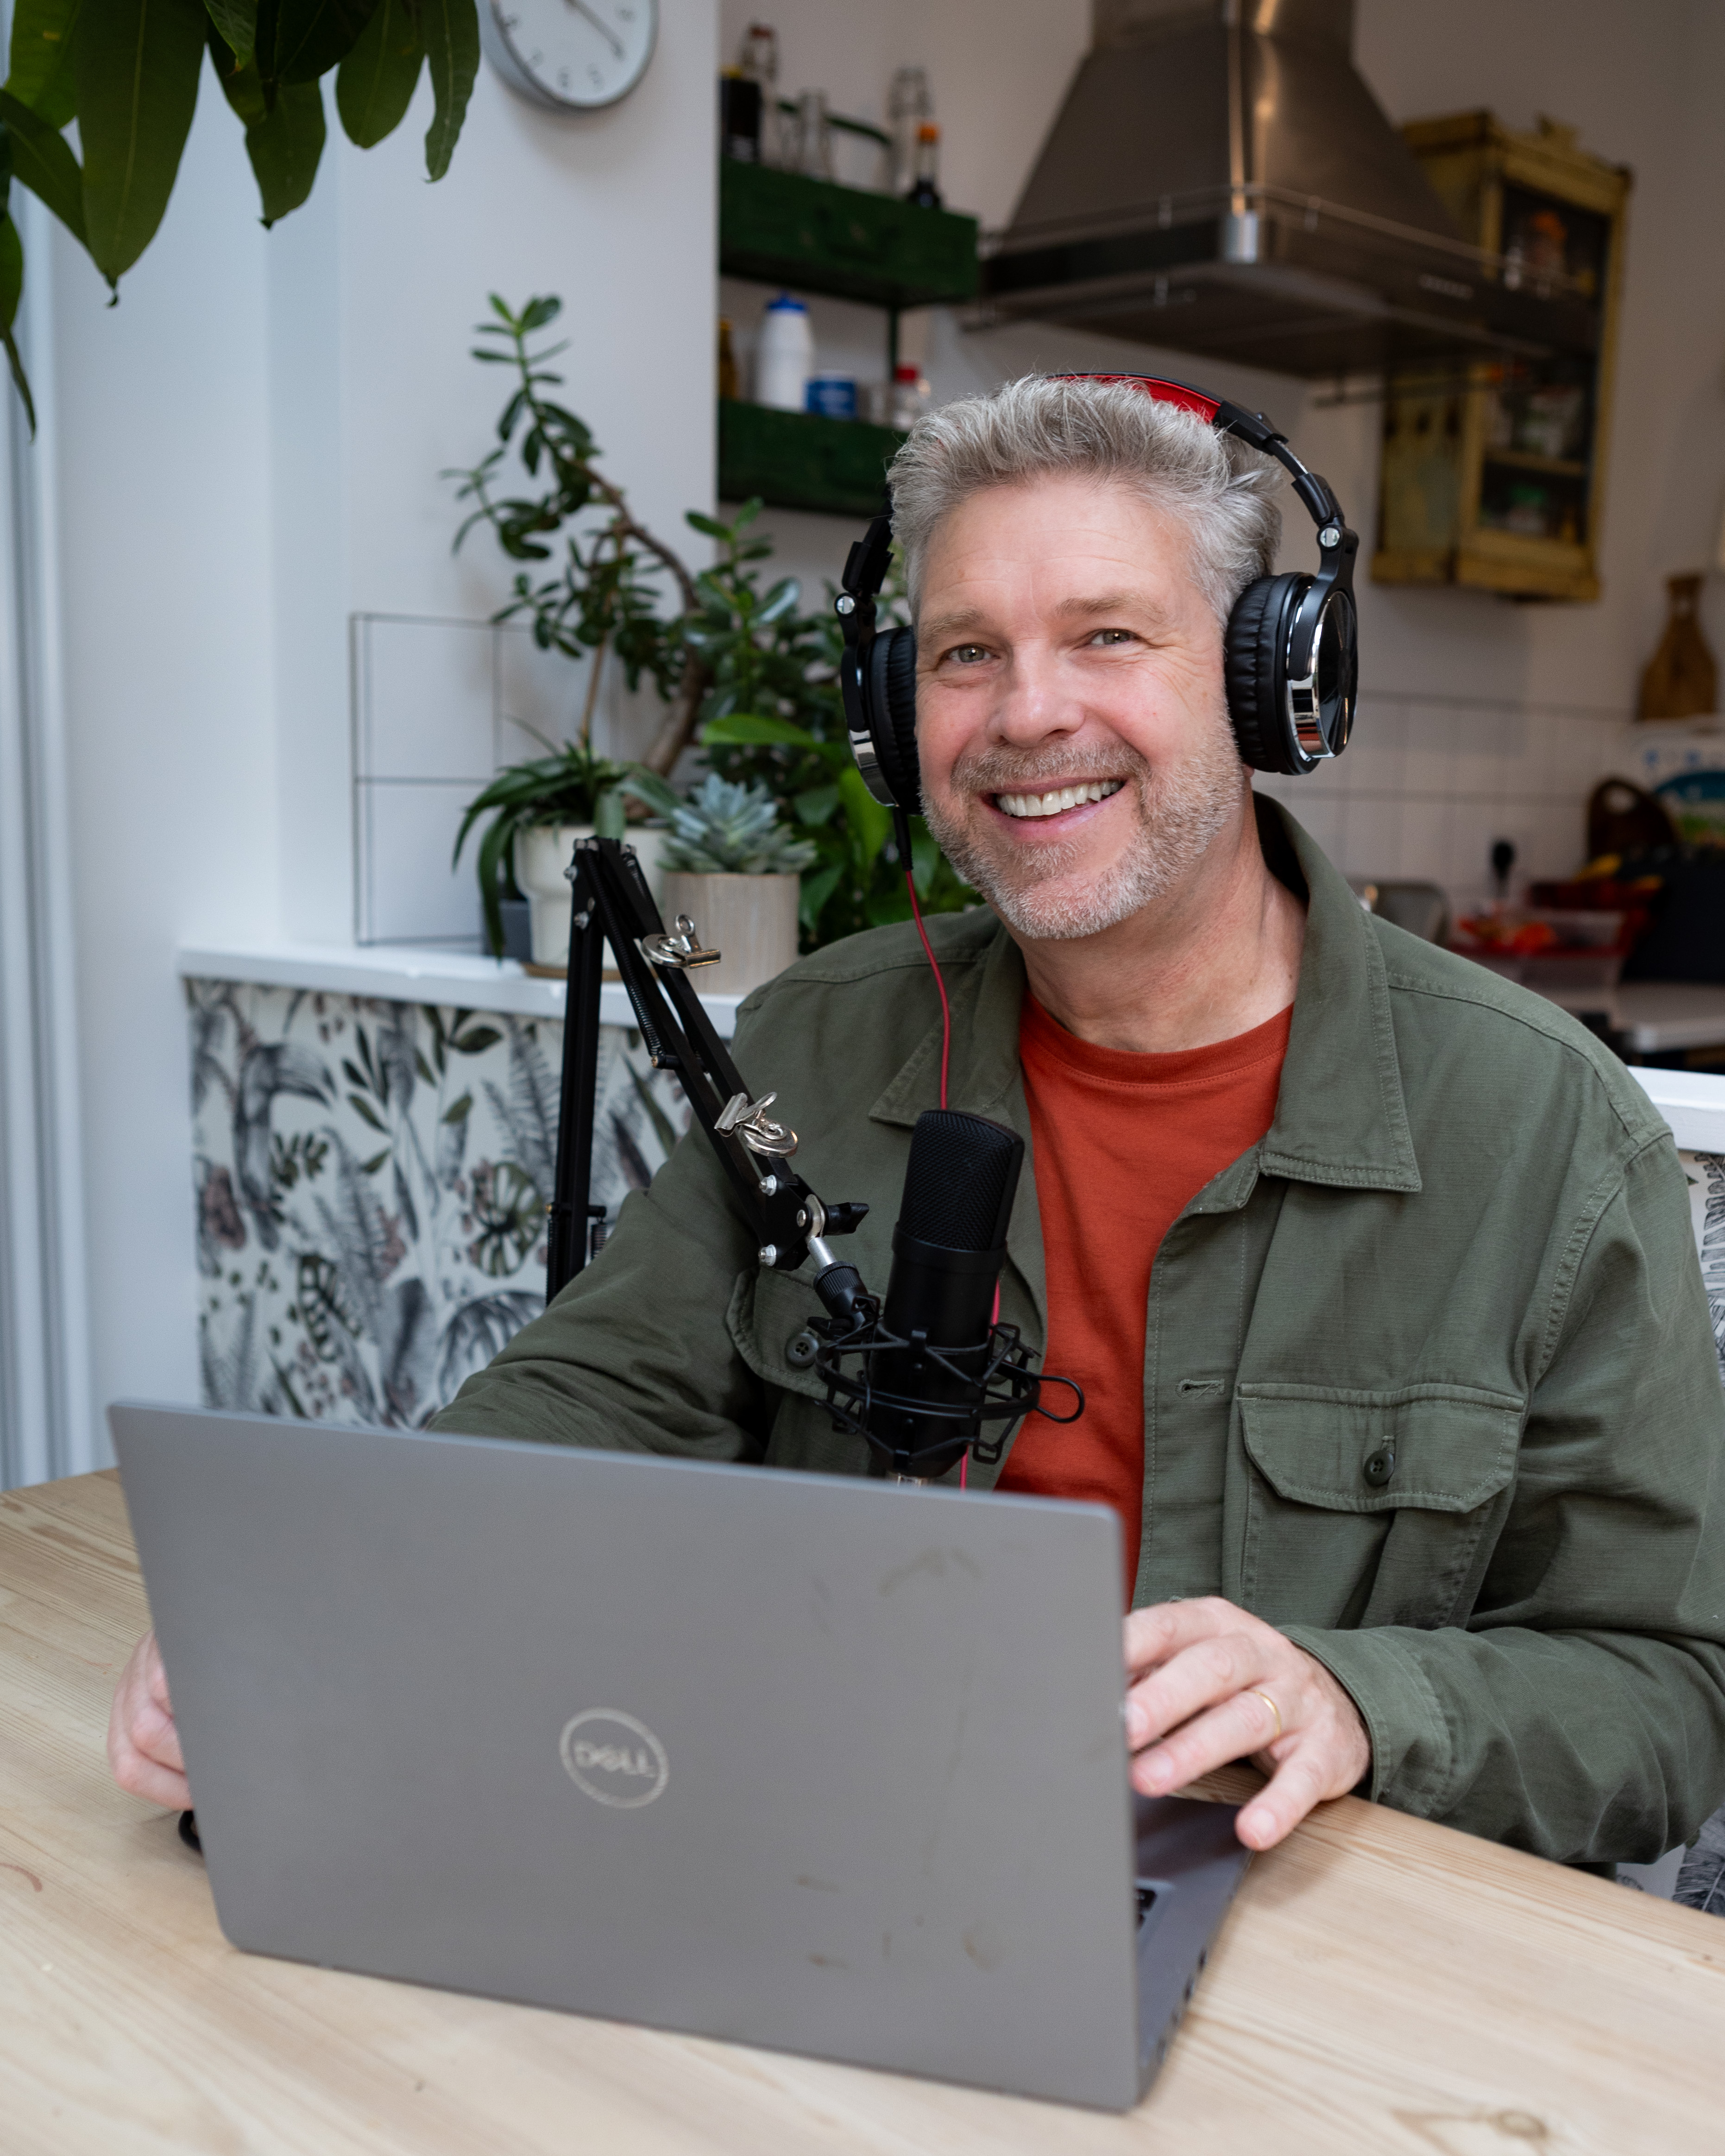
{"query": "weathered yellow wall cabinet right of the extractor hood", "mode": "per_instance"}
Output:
(1495, 478)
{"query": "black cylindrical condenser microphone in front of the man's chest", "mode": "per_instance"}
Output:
(948, 1254)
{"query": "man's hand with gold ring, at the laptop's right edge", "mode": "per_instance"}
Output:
(1209, 1685)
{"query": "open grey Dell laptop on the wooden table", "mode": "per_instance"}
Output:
(808, 1763)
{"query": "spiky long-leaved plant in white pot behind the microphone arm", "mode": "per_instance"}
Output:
(538, 812)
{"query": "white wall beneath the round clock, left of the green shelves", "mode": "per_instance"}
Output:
(249, 454)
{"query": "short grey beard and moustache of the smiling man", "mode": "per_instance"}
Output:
(1181, 812)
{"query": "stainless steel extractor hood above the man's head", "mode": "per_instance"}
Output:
(1224, 182)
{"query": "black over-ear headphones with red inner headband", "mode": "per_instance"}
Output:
(1291, 654)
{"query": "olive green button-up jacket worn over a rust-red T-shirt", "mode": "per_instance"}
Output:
(1463, 1247)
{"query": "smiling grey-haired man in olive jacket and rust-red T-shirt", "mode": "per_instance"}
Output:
(1375, 1269)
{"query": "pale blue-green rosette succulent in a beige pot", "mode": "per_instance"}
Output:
(734, 870)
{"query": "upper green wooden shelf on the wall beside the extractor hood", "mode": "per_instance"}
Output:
(816, 236)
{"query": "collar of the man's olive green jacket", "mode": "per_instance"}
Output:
(1340, 1116)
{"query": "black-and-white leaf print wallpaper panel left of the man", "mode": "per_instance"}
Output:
(372, 1187)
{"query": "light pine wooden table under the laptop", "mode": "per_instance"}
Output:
(1381, 1987)
